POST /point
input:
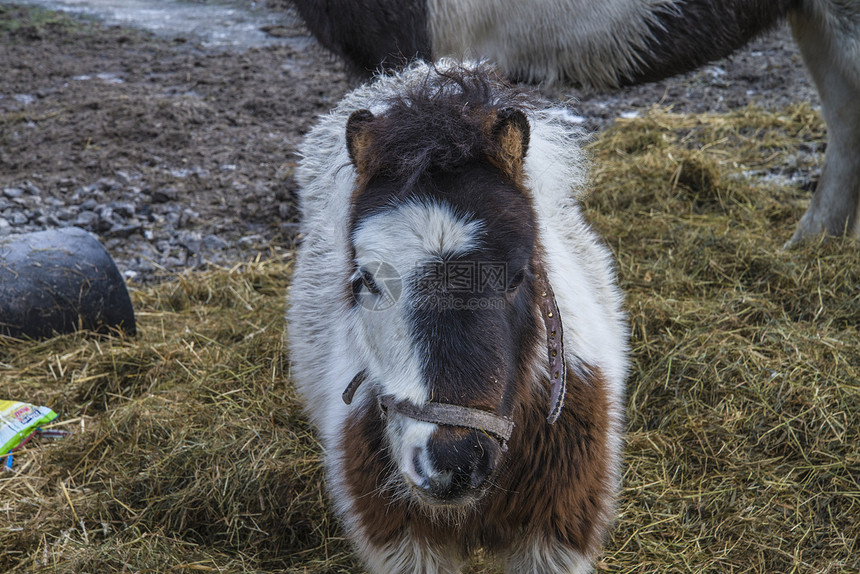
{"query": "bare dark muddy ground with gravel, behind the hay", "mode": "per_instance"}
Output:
(176, 155)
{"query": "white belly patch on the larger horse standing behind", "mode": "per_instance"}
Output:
(546, 51)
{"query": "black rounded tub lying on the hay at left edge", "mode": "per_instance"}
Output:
(59, 281)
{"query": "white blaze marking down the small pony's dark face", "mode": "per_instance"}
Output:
(405, 239)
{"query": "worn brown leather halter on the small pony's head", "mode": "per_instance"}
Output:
(471, 418)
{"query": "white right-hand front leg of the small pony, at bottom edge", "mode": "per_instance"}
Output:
(547, 556)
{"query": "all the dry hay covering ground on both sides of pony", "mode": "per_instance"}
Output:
(191, 454)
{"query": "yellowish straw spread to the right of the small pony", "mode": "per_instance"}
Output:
(743, 450)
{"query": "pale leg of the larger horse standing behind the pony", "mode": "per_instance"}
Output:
(829, 39)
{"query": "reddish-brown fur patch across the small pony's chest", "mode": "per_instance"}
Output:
(557, 482)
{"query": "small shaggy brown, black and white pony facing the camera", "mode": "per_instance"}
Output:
(455, 329)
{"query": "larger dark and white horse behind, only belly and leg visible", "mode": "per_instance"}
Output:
(609, 43)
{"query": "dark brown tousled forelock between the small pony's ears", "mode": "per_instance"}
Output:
(441, 124)
